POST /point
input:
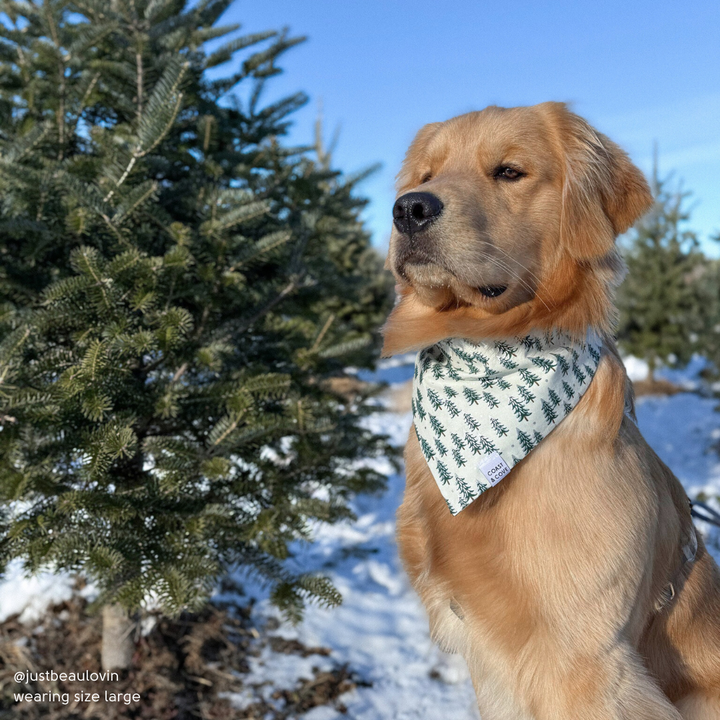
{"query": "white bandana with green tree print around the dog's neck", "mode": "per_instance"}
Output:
(480, 408)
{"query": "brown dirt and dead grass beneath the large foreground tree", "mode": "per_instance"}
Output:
(181, 670)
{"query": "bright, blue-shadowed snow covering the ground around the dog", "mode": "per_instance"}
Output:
(381, 630)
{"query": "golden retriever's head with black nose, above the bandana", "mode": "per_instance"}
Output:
(506, 221)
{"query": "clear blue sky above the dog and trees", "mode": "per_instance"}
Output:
(639, 71)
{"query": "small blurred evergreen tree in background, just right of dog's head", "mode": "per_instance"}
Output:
(660, 302)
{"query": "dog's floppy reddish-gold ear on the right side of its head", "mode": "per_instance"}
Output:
(603, 192)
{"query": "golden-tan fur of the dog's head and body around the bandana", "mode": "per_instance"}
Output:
(547, 583)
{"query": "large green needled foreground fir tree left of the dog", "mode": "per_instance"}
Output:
(179, 290)
